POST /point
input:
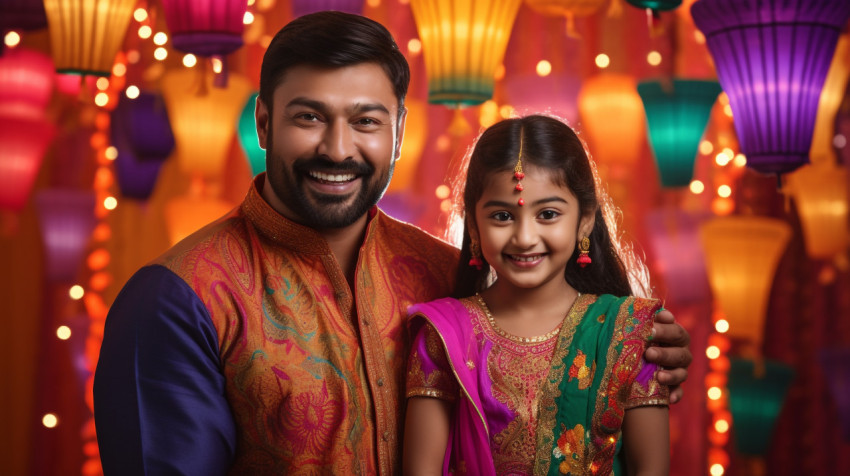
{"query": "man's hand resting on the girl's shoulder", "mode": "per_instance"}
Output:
(670, 352)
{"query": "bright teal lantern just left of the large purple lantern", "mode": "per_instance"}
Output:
(677, 112)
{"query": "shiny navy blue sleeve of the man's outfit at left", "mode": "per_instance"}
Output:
(159, 401)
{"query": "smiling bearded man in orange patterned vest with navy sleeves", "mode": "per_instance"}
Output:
(272, 340)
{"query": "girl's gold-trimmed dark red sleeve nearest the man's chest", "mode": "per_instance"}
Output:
(428, 371)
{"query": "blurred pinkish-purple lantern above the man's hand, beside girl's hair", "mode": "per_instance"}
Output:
(679, 257)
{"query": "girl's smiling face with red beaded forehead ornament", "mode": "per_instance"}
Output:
(529, 245)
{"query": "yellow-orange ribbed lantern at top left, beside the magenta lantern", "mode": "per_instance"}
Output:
(85, 34)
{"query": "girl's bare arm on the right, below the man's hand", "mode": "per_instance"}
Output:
(646, 441)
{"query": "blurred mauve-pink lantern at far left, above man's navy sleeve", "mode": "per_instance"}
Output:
(66, 219)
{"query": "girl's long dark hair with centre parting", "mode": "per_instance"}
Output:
(550, 144)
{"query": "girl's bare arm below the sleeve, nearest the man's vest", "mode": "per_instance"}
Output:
(426, 434)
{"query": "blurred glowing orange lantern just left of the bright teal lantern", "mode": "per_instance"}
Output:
(612, 118)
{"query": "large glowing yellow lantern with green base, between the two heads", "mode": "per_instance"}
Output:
(463, 41)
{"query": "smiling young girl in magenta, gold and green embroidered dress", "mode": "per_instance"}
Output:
(538, 369)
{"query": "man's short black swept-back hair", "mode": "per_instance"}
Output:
(333, 39)
